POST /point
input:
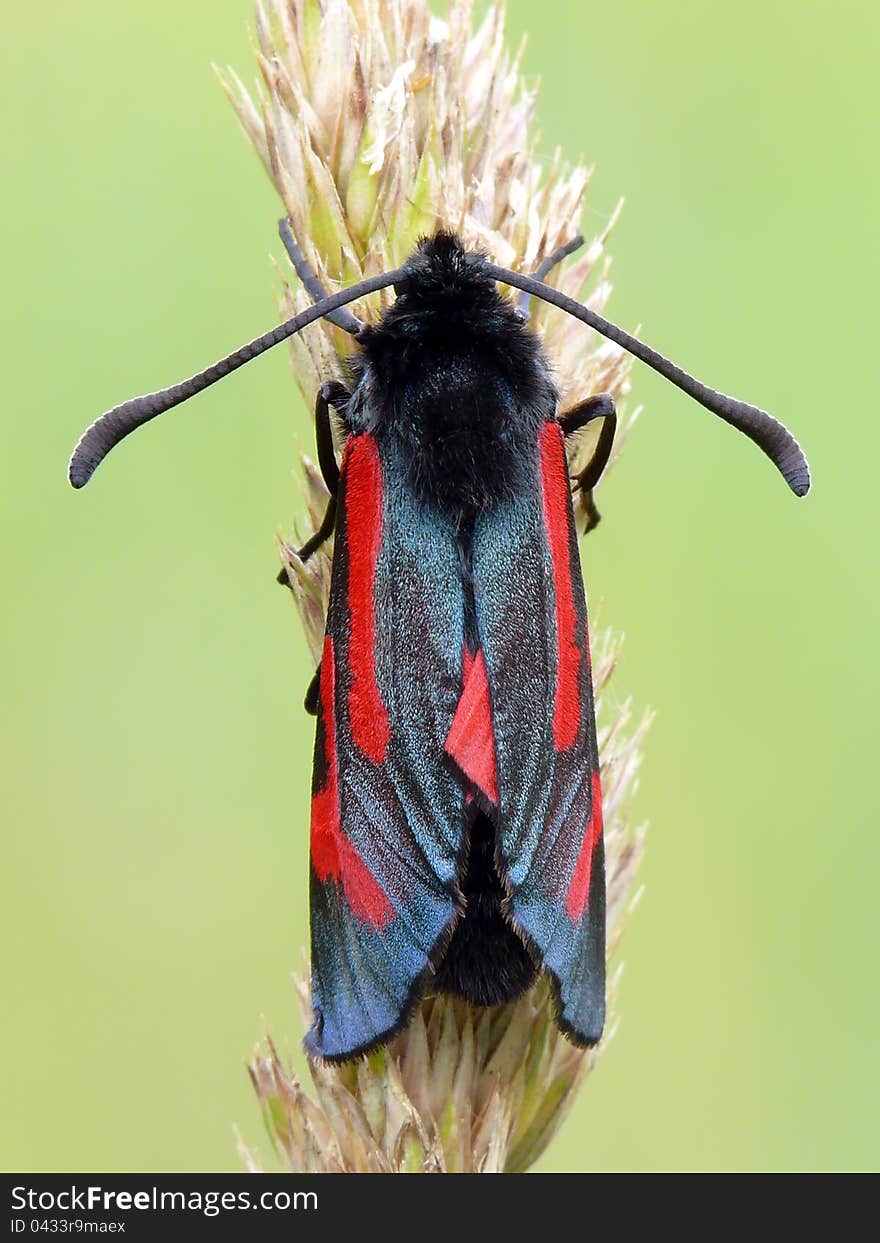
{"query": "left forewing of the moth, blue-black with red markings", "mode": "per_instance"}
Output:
(388, 823)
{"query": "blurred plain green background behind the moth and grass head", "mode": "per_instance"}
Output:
(155, 755)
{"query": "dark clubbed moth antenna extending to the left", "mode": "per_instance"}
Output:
(114, 427)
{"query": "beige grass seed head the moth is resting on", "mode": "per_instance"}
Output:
(380, 122)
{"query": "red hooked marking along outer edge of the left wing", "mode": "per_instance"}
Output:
(334, 856)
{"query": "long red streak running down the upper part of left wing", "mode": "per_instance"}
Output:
(364, 531)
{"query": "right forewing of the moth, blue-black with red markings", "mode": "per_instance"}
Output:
(533, 618)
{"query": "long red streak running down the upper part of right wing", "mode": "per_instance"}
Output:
(555, 490)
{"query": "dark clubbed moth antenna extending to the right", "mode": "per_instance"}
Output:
(768, 433)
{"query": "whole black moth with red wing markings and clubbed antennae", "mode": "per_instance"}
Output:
(457, 837)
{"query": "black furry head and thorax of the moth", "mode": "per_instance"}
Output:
(454, 381)
